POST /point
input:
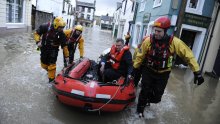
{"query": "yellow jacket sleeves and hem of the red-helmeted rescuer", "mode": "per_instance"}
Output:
(177, 46)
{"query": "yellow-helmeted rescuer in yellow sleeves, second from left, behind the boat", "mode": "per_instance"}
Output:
(74, 37)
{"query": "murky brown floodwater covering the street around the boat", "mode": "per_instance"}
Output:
(27, 98)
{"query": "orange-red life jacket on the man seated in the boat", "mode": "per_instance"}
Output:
(115, 57)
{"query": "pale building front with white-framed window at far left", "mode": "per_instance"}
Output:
(15, 16)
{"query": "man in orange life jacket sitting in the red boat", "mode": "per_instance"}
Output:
(116, 63)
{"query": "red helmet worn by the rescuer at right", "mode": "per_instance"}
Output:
(162, 22)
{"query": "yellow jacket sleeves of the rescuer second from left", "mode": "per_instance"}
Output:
(80, 41)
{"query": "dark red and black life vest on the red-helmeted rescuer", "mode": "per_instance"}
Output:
(159, 56)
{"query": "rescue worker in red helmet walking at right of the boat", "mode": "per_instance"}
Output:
(158, 50)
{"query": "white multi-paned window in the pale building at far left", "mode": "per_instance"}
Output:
(14, 11)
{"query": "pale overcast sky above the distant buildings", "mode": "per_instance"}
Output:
(104, 6)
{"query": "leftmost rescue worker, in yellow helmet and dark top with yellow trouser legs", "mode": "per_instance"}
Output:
(52, 37)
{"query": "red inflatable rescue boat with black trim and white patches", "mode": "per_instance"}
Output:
(77, 86)
